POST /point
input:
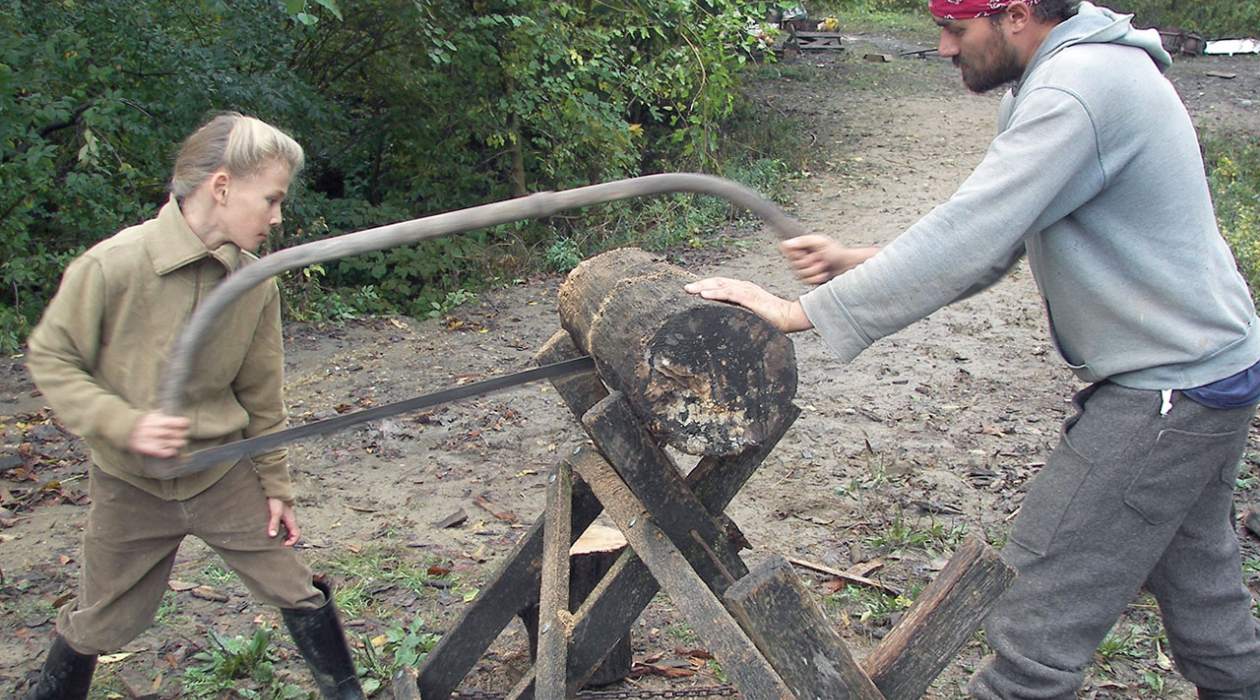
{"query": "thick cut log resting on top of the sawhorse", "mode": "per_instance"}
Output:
(707, 378)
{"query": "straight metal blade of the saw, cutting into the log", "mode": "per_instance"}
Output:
(232, 451)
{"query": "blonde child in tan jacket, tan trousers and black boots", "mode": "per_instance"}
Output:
(98, 356)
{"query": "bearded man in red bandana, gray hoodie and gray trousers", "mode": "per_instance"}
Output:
(1097, 177)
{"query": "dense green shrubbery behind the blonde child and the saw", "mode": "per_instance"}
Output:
(406, 109)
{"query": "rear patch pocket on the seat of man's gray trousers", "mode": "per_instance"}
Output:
(1176, 470)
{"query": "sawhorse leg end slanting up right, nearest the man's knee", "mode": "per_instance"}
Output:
(944, 618)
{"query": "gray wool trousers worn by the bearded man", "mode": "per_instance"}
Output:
(1128, 499)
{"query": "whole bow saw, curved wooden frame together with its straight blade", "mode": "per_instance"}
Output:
(201, 325)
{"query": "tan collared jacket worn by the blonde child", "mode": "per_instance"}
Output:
(99, 352)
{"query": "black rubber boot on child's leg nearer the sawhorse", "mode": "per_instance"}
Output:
(319, 638)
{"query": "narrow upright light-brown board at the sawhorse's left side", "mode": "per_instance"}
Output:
(554, 618)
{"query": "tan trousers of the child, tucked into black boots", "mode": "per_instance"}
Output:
(130, 543)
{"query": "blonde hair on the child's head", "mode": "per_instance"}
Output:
(236, 143)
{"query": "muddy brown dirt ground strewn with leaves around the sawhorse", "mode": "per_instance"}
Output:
(929, 436)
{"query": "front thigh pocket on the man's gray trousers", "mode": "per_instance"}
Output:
(1049, 498)
